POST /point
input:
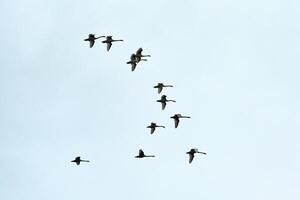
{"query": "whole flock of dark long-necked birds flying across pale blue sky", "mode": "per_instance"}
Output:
(135, 58)
